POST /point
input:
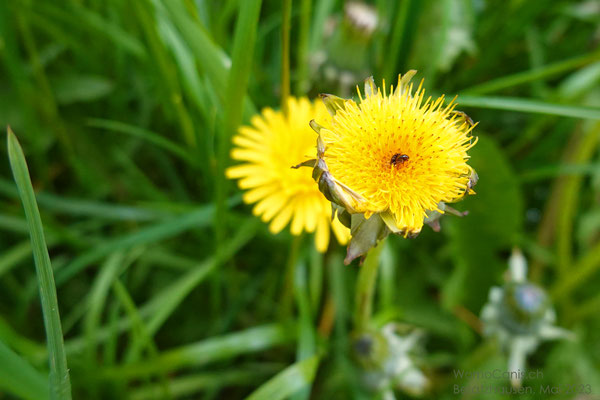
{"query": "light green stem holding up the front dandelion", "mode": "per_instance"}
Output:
(365, 288)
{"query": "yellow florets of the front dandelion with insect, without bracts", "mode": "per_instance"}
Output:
(404, 154)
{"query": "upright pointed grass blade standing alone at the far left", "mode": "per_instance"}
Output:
(60, 383)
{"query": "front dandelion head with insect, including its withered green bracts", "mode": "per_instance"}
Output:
(391, 162)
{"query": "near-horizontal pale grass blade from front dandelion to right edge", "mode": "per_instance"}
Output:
(530, 106)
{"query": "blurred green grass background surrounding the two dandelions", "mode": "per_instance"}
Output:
(169, 288)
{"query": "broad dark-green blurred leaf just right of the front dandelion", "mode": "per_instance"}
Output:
(494, 221)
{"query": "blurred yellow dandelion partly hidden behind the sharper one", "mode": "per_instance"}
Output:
(268, 149)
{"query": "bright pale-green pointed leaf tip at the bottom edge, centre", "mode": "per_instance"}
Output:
(289, 381)
